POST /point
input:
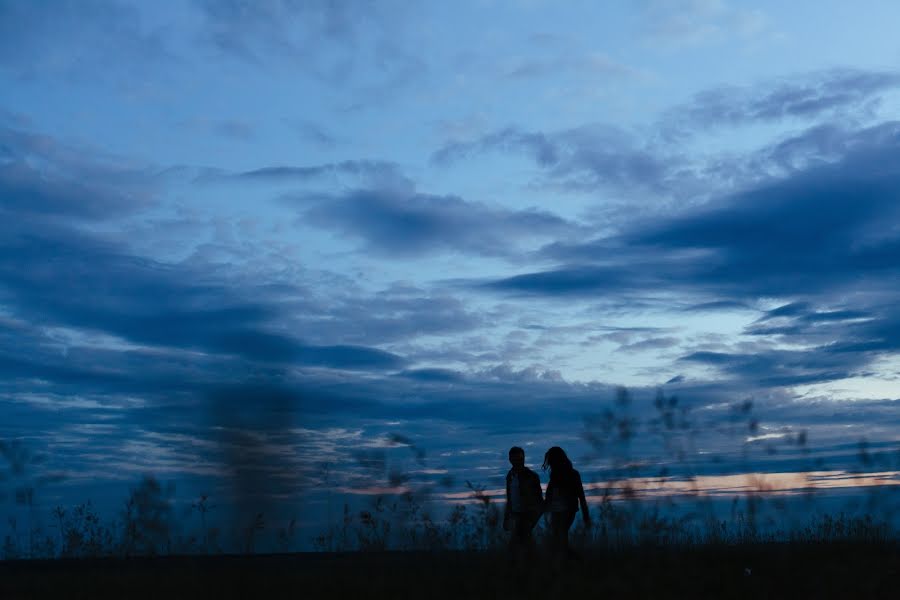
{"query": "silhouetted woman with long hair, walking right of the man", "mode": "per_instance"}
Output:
(564, 493)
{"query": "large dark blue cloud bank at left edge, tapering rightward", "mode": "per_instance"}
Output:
(59, 273)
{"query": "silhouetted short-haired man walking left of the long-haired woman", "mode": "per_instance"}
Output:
(524, 503)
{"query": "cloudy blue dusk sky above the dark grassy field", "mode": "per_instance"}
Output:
(274, 250)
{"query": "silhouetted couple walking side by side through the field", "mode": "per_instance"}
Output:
(525, 503)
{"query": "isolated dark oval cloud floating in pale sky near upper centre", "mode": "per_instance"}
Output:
(404, 223)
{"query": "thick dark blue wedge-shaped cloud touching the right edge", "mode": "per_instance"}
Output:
(811, 231)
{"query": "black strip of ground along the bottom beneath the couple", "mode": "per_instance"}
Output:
(767, 571)
